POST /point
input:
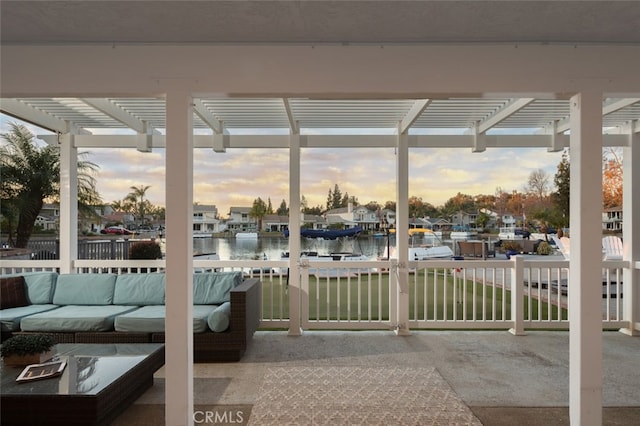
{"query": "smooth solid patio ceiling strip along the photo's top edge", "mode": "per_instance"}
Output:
(110, 21)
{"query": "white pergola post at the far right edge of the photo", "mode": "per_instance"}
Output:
(631, 233)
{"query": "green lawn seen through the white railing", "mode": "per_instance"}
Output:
(330, 298)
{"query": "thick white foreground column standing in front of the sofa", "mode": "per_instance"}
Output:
(179, 260)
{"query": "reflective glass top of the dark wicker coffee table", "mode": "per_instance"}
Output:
(90, 368)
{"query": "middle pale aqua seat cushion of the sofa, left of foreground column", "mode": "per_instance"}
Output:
(75, 318)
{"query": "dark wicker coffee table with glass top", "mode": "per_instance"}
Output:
(99, 382)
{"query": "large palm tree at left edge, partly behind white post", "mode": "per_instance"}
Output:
(29, 175)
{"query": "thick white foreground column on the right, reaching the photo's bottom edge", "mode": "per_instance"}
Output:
(585, 284)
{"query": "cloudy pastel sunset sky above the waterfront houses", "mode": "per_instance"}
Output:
(237, 177)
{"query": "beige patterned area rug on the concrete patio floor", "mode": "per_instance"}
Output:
(358, 396)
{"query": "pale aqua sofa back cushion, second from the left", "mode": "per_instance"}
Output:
(84, 289)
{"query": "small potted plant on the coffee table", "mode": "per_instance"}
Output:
(25, 349)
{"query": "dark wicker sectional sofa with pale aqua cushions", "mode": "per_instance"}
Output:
(130, 308)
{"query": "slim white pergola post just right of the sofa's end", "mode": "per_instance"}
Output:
(295, 293)
